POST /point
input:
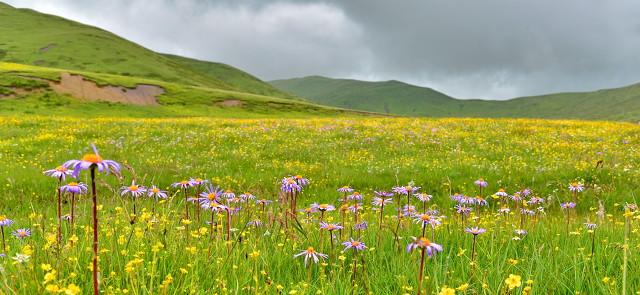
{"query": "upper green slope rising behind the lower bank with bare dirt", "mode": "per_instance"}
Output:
(30, 37)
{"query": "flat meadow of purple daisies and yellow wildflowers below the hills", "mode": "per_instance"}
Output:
(318, 206)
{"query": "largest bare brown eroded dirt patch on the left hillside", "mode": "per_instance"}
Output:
(77, 86)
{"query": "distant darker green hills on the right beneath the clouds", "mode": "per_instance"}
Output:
(399, 98)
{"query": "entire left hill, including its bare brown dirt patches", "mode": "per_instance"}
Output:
(51, 65)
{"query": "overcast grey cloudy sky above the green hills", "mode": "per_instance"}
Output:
(465, 48)
